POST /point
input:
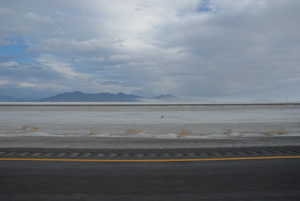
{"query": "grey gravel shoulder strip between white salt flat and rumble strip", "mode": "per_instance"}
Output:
(141, 143)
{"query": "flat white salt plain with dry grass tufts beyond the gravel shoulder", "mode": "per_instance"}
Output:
(150, 121)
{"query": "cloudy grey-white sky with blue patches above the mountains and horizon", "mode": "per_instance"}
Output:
(215, 49)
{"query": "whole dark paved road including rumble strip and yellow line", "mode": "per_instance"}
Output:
(250, 175)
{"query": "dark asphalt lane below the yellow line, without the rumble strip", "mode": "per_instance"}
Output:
(263, 179)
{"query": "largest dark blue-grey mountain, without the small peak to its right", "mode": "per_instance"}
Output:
(78, 96)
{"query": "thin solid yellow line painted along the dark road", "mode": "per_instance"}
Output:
(147, 160)
